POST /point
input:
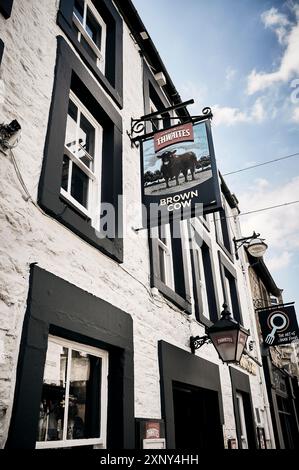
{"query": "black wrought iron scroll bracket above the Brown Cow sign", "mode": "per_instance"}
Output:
(138, 126)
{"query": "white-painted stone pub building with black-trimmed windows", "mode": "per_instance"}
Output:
(95, 332)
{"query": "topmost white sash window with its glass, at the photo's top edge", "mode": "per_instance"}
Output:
(92, 31)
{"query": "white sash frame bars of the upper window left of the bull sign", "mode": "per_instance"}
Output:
(94, 183)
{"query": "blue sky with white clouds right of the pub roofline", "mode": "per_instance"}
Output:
(241, 57)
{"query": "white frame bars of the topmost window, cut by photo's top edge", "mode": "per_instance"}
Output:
(101, 54)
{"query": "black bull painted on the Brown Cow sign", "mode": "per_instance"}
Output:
(173, 165)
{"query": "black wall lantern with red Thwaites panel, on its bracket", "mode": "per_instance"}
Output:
(227, 335)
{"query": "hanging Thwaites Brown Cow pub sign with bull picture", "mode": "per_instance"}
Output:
(179, 174)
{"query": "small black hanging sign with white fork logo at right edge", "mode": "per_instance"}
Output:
(278, 325)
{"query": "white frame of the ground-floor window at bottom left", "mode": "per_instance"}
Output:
(101, 442)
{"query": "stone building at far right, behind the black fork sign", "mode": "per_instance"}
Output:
(280, 363)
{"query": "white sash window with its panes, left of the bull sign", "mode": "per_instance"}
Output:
(80, 183)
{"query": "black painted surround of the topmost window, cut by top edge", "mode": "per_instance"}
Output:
(112, 79)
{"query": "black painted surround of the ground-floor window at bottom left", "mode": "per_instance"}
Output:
(58, 308)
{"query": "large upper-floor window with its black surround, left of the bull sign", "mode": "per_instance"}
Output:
(82, 166)
